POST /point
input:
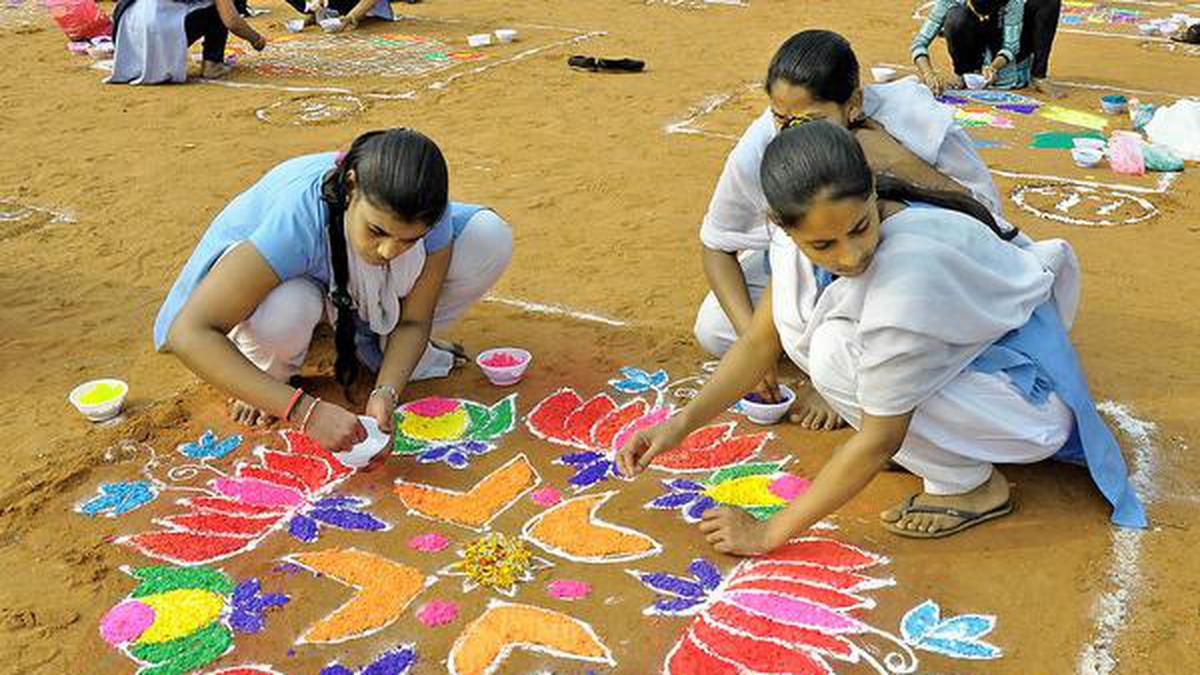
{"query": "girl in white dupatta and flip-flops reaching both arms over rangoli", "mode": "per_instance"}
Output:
(943, 344)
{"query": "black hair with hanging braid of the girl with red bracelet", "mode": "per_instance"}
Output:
(399, 170)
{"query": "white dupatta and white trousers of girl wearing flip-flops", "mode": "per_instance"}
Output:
(941, 289)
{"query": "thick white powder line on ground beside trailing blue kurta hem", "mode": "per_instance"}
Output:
(1113, 608)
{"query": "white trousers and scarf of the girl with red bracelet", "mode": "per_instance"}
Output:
(277, 338)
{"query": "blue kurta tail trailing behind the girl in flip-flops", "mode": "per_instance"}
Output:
(1039, 359)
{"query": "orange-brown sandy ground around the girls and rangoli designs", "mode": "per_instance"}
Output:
(605, 204)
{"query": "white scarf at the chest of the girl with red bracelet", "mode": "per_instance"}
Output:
(379, 290)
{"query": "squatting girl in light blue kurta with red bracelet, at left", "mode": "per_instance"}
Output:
(368, 241)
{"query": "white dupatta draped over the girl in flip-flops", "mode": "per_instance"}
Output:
(940, 290)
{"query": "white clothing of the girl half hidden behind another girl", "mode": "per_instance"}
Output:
(737, 214)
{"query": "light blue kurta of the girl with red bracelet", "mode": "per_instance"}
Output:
(284, 217)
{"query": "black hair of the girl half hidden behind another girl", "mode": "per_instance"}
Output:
(819, 61)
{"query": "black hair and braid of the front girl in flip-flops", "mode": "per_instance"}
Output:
(821, 159)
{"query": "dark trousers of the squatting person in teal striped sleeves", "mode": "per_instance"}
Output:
(968, 38)
